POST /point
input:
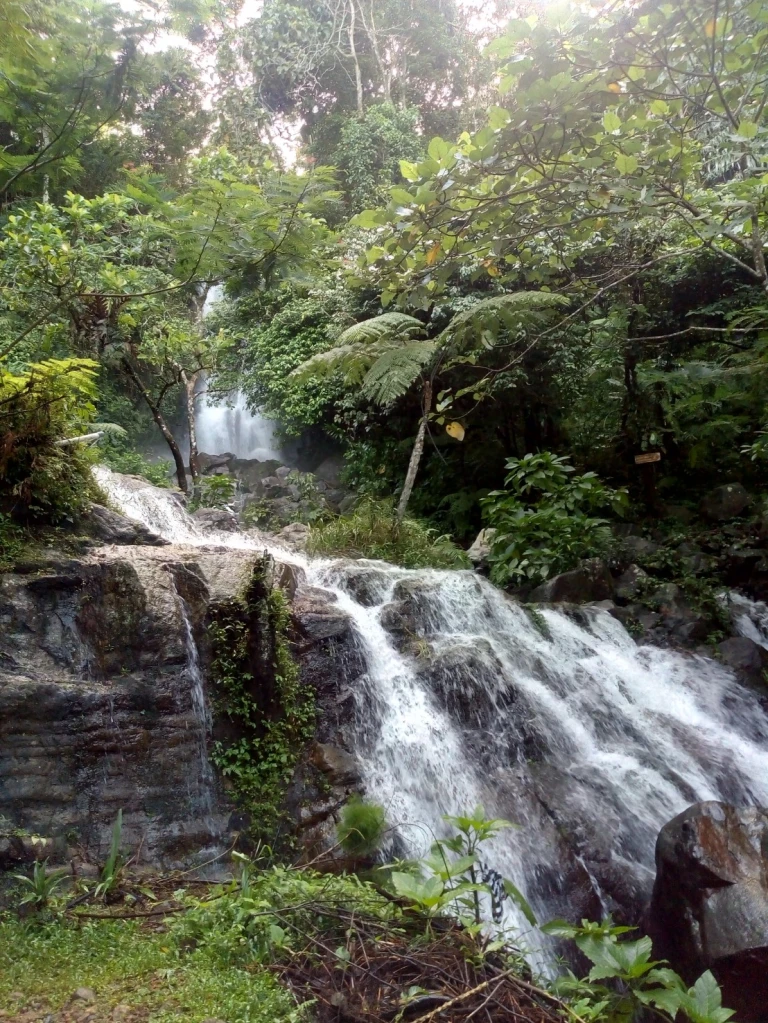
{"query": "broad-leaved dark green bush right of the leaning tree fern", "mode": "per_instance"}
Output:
(543, 520)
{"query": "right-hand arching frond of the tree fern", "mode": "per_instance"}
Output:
(484, 323)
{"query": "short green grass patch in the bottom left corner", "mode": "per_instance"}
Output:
(125, 964)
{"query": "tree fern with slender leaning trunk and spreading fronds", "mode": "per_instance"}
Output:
(387, 355)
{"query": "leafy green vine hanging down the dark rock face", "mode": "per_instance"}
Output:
(272, 714)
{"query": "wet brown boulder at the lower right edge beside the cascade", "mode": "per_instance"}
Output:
(710, 905)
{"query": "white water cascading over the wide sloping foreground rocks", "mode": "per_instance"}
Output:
(564, 726)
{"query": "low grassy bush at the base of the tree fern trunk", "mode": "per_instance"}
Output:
(372, 531)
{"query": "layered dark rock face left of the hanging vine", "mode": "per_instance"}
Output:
(101, 698)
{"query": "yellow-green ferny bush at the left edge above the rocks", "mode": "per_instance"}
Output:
(51, 402)
